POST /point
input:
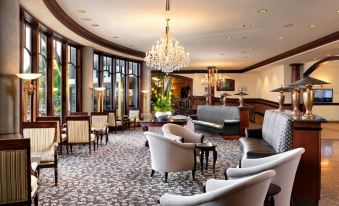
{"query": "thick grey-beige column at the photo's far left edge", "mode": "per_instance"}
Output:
(9, 66)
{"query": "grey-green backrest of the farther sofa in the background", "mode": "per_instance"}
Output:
(217, 114)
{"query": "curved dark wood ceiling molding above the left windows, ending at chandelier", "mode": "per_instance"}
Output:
(66, 20)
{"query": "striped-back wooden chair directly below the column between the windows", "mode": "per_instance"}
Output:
(79, 131)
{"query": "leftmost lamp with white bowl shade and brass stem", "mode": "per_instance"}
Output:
(29, 89)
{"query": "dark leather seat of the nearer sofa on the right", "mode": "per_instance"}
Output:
(256, 148)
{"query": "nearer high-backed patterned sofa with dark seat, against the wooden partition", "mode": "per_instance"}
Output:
(274, 137)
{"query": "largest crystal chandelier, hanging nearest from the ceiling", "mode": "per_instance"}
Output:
(167, 55)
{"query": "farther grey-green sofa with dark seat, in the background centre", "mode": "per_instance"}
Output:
(225, 120)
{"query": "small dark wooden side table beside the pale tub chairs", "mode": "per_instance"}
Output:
(205, 148)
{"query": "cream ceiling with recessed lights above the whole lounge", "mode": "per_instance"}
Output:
(212, 31)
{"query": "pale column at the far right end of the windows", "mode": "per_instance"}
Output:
(146, 86)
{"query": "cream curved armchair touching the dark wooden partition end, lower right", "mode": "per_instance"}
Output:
(285, 164)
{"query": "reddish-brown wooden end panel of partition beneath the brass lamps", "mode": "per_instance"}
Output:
(307, 134)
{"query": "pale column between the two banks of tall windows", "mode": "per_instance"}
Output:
(87, 79)
